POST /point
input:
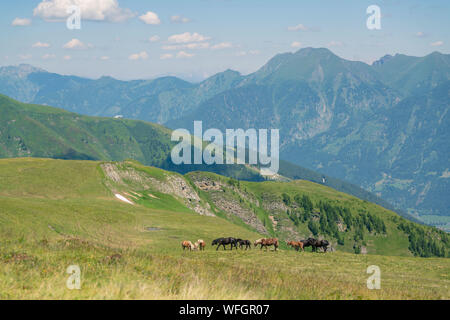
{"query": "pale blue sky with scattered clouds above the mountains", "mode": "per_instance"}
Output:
(197, 38)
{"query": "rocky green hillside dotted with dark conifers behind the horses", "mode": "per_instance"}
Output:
(300, 209)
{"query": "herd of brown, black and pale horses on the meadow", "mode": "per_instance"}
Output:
(263, 242)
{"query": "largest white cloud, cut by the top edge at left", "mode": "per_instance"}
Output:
(96, 10)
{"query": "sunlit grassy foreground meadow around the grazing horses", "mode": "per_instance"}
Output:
(57, 213)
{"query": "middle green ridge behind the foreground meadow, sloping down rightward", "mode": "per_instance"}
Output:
(42, 131)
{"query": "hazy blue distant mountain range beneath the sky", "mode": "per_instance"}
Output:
(383, 127)
